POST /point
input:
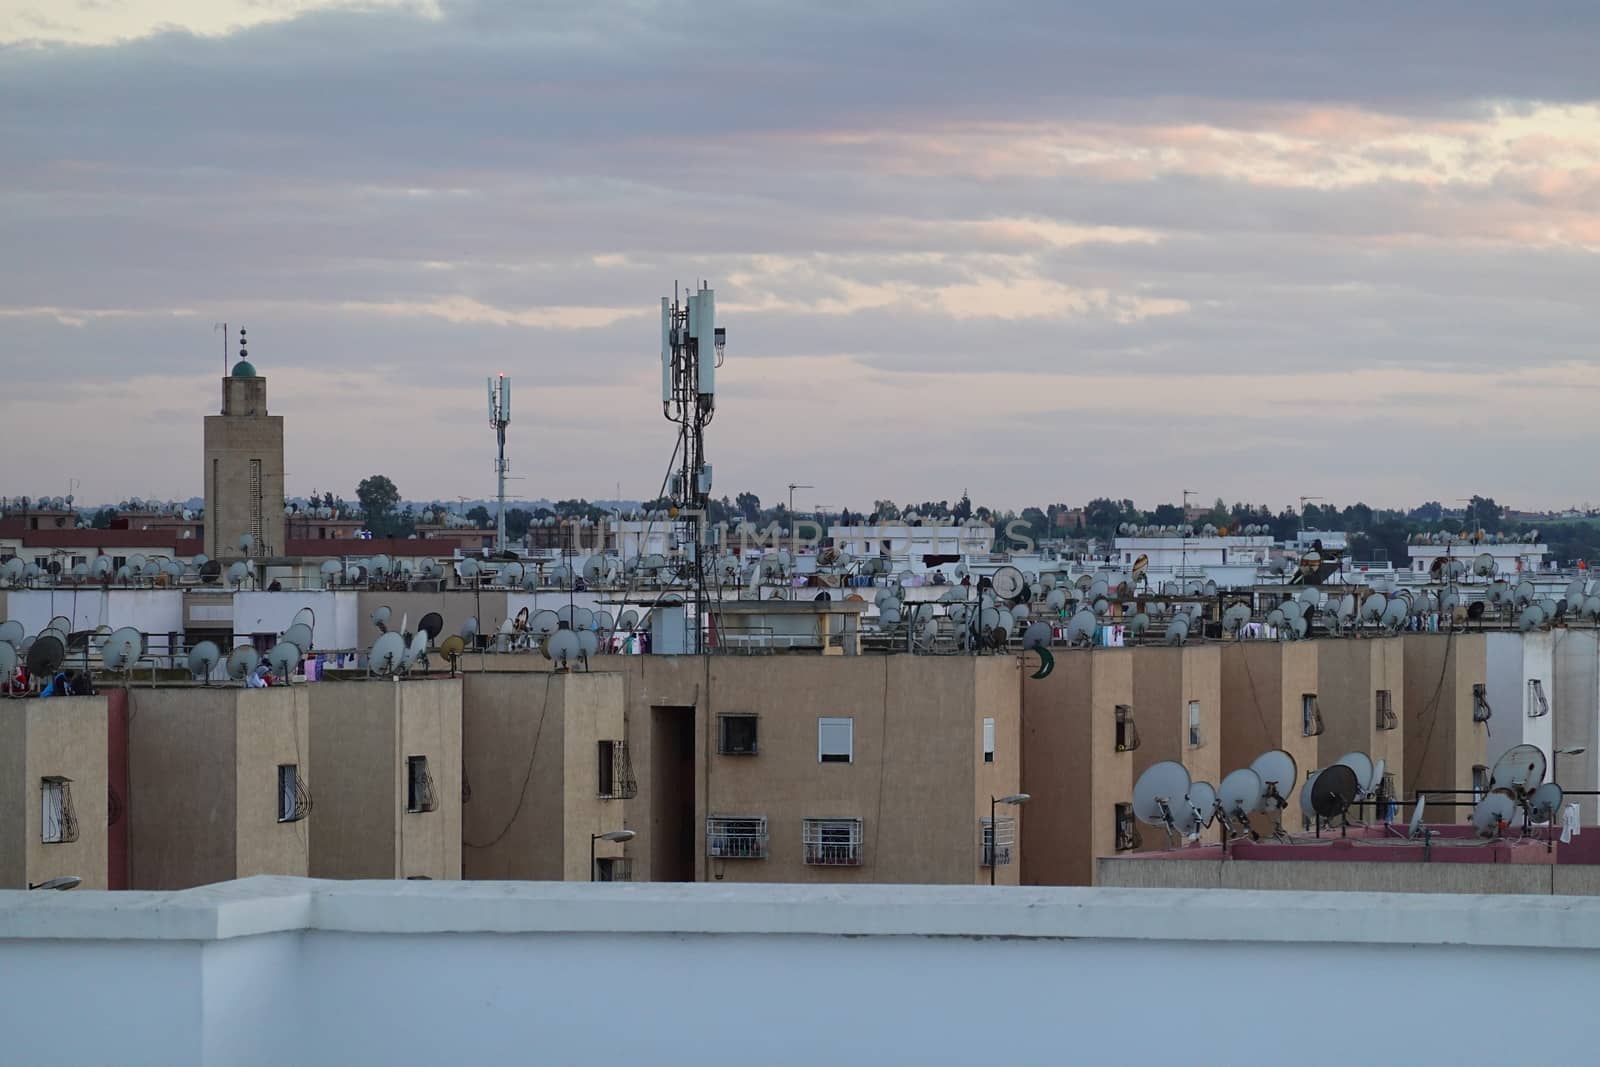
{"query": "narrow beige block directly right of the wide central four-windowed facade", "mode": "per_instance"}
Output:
(1081, 732)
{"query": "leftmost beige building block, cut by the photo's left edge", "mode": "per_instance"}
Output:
(54, 791)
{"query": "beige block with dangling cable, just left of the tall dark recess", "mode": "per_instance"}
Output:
(546, 769)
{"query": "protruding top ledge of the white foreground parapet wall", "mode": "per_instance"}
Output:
(257, 906)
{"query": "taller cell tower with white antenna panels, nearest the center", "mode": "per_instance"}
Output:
(692, 350)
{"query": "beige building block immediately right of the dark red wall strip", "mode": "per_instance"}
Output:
(220, 785)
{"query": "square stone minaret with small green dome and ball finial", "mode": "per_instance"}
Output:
(244, 470)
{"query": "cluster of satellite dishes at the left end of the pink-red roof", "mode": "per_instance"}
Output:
(1167, 797)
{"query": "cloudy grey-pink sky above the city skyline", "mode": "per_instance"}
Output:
(1033, 250)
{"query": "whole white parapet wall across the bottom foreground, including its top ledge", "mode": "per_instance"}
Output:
(281, 972)
